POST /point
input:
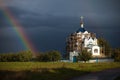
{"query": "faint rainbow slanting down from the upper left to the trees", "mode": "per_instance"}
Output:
(18, 29)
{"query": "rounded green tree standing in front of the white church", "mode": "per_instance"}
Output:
(84, 55)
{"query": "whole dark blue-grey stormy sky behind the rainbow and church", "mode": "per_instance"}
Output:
(47, 23)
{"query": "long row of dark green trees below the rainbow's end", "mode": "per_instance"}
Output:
(25, 56)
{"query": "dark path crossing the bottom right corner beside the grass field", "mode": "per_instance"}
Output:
(109, 74)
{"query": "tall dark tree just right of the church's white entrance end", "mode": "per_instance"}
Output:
(106, 49)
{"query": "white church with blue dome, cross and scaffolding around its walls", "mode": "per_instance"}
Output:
(82, 39)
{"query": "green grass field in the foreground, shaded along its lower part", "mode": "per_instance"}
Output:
(49, 70)
